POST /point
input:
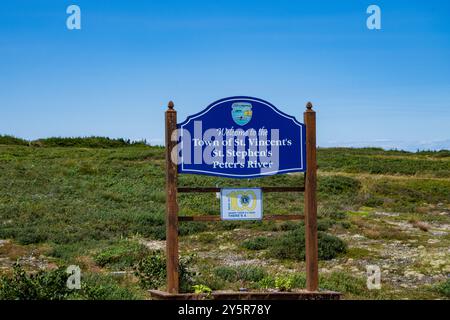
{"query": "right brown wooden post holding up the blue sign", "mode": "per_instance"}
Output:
(312, 265)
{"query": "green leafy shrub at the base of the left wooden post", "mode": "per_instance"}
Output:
(152, 274)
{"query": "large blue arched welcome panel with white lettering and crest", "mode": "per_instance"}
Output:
(241, 137)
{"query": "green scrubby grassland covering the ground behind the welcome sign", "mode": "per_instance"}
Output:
(99, 203)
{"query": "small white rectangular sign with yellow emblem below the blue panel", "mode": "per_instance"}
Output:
(241, 204)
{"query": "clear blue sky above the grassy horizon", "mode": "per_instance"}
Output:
(115, 76)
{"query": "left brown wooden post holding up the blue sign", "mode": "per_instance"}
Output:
(171, 203)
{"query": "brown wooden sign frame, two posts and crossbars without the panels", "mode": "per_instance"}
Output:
(310, 201)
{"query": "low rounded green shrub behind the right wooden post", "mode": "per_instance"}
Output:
(292, 246)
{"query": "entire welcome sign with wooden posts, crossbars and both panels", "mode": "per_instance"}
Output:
(240, 137)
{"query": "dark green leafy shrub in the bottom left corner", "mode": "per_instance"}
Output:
(43, 285)
